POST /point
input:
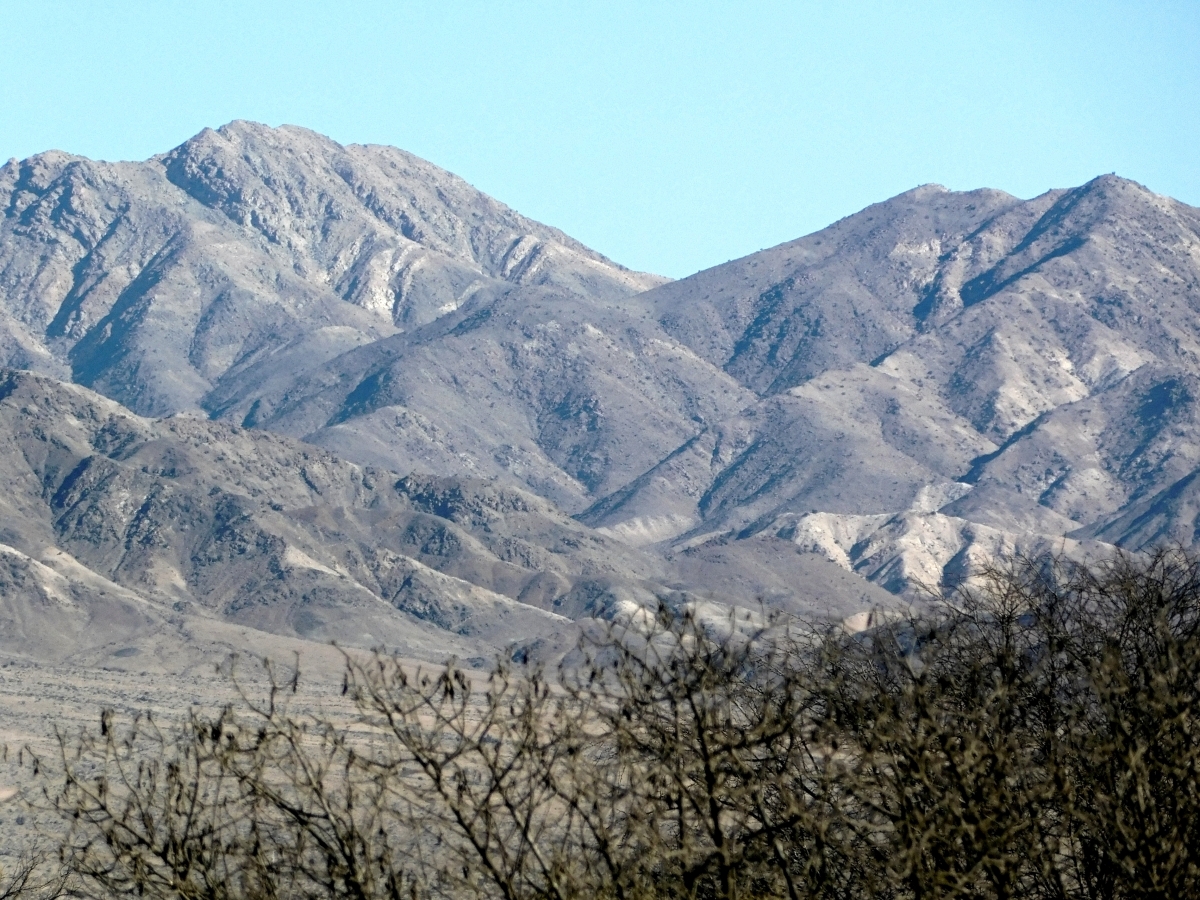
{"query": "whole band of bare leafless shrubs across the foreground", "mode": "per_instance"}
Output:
(1035, 740)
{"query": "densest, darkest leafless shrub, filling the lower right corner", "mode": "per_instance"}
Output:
(1039, 739)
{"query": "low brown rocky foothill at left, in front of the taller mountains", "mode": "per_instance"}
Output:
(113, 526)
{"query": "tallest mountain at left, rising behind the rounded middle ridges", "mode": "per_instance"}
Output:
(155, 283)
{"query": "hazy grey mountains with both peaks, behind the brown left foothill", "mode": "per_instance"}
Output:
(938, 379)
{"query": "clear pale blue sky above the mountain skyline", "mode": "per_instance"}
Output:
(671, 136)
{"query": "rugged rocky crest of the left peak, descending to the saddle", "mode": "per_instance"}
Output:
(275, 181)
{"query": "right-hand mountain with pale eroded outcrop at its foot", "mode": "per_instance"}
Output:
(1022, 368)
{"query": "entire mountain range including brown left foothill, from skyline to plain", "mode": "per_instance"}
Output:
(938, 379)
